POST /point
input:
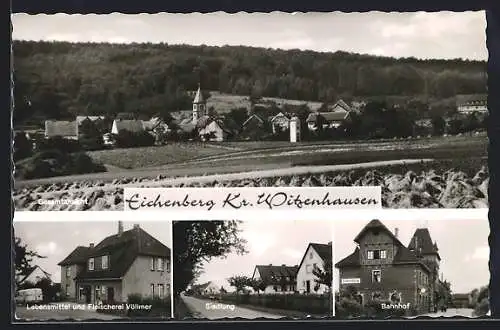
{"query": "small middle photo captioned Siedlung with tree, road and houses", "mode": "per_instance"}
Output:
(252, 269)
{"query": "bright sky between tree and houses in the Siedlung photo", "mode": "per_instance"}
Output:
(274, 242)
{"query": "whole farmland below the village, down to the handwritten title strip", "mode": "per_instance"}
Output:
(422, 173)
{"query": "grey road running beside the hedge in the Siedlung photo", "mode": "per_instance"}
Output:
(214, 310)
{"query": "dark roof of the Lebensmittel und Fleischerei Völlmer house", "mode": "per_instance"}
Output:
(122, 250)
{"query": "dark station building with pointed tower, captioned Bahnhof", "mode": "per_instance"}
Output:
(381, 268)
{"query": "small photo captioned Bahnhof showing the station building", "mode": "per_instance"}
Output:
(411, 268)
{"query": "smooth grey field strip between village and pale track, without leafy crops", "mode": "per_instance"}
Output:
(262, 155)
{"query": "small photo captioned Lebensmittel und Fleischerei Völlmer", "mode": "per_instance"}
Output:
(68, 271)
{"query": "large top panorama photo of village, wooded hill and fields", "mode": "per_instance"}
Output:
(104, 102)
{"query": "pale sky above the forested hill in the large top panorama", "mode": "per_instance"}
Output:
(440, 35)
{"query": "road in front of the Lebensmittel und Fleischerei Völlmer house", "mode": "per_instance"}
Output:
(23, 313)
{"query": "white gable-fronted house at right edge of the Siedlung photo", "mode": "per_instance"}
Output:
(315, 257)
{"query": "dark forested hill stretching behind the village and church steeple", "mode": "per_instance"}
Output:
(58, 79)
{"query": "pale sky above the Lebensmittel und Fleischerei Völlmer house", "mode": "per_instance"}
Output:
(56, 240)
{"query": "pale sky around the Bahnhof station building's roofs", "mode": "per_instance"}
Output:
(463, 247)
